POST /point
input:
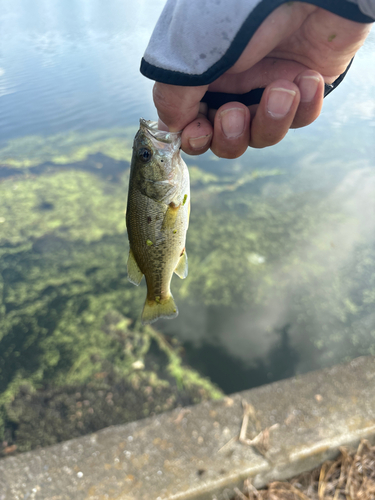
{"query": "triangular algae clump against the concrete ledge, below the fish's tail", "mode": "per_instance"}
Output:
(120, 389)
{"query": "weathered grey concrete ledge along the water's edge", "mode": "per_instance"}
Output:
(194, 453)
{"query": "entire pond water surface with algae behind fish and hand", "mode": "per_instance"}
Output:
(281, 243)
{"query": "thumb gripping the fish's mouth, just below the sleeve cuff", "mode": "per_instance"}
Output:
(177, 106)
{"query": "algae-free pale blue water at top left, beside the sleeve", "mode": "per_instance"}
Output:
(73, 65)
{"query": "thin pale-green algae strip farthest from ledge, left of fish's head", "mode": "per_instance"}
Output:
(67, 147)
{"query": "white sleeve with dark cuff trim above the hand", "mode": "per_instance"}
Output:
(196, 41)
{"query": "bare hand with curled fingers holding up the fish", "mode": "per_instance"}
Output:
(297, 49)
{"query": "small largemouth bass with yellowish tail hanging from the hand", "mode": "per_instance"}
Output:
(157, 217)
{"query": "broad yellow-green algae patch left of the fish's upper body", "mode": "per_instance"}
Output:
(75, 205)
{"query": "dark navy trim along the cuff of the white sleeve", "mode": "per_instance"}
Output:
(343, 8)
